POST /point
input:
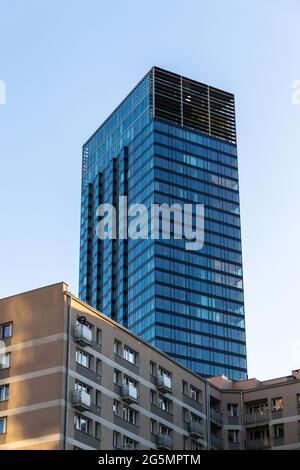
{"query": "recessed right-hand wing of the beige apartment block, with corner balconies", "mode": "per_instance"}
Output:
(261, 414)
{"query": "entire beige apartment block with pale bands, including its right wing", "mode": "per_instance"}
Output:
(72, 378)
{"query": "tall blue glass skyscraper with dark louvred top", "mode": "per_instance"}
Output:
(172, 140)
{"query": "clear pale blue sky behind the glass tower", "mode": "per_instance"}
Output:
(67, 64)
